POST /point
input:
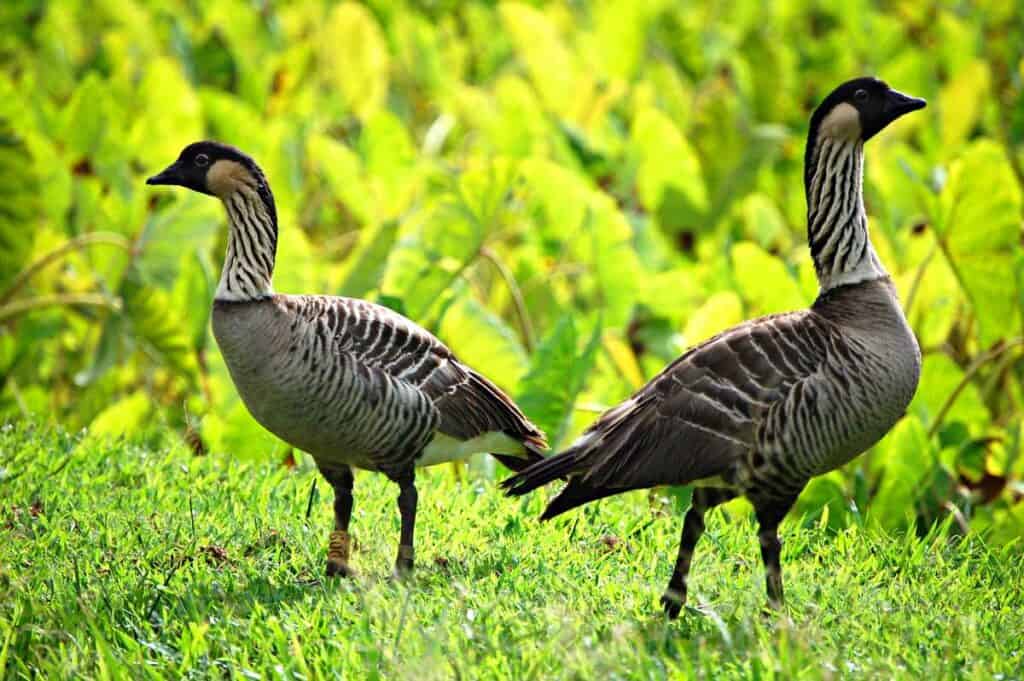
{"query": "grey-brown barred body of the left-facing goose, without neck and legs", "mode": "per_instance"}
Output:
(357, 385)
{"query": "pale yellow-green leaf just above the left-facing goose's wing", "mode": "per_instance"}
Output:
(483, 340)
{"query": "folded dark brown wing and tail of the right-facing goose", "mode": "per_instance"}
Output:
(713, 406)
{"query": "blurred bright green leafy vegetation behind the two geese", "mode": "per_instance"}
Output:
(569, 194)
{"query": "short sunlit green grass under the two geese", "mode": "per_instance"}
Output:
(136, 560)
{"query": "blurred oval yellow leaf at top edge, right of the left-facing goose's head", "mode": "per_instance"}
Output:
(354, 58)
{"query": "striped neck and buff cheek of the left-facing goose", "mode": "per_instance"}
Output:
(252, 240)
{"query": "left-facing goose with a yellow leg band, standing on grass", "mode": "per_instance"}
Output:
(351, 382)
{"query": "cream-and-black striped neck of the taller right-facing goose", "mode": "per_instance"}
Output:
(837, 223)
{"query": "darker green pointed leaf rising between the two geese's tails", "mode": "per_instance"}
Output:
(559, 371)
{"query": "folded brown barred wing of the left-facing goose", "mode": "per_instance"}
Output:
(467, 404)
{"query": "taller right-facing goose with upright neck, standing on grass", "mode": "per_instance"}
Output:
(762, 408)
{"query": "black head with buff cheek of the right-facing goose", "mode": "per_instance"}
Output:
(861, 109)
